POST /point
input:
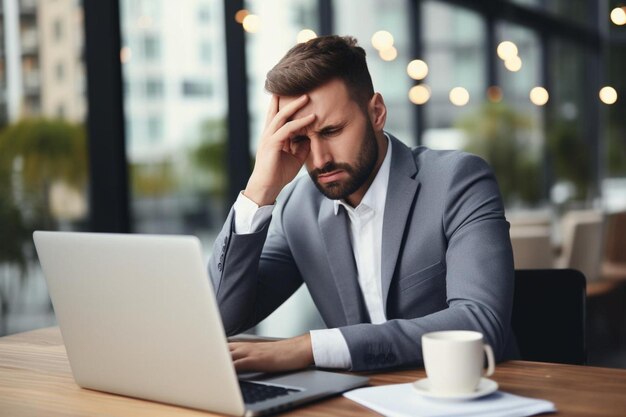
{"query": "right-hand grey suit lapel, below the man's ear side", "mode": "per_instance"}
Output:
(401, 192)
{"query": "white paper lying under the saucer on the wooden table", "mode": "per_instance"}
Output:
(401, 400)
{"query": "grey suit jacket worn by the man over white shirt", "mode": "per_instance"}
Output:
(446, 260)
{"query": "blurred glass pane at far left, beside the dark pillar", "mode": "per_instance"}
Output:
(43, 150)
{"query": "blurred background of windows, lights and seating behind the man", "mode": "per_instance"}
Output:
(143, 116)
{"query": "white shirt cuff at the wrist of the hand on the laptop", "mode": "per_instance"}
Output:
(330, 349)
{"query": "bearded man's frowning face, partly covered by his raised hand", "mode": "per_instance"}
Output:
(344, 150)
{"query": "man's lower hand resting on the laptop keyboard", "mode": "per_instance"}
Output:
(283, 355)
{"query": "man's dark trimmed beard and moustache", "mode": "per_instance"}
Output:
(358, 174)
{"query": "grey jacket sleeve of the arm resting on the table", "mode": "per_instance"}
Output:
(479, 277)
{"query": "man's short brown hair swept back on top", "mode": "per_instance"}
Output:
(309, 65)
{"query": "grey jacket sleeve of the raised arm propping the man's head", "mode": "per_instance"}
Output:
(252, 274)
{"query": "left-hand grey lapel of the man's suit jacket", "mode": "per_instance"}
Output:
(336, 236)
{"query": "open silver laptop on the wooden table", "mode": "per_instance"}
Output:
(139, 318)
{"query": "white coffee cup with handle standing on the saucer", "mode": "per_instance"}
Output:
(454, 360)
